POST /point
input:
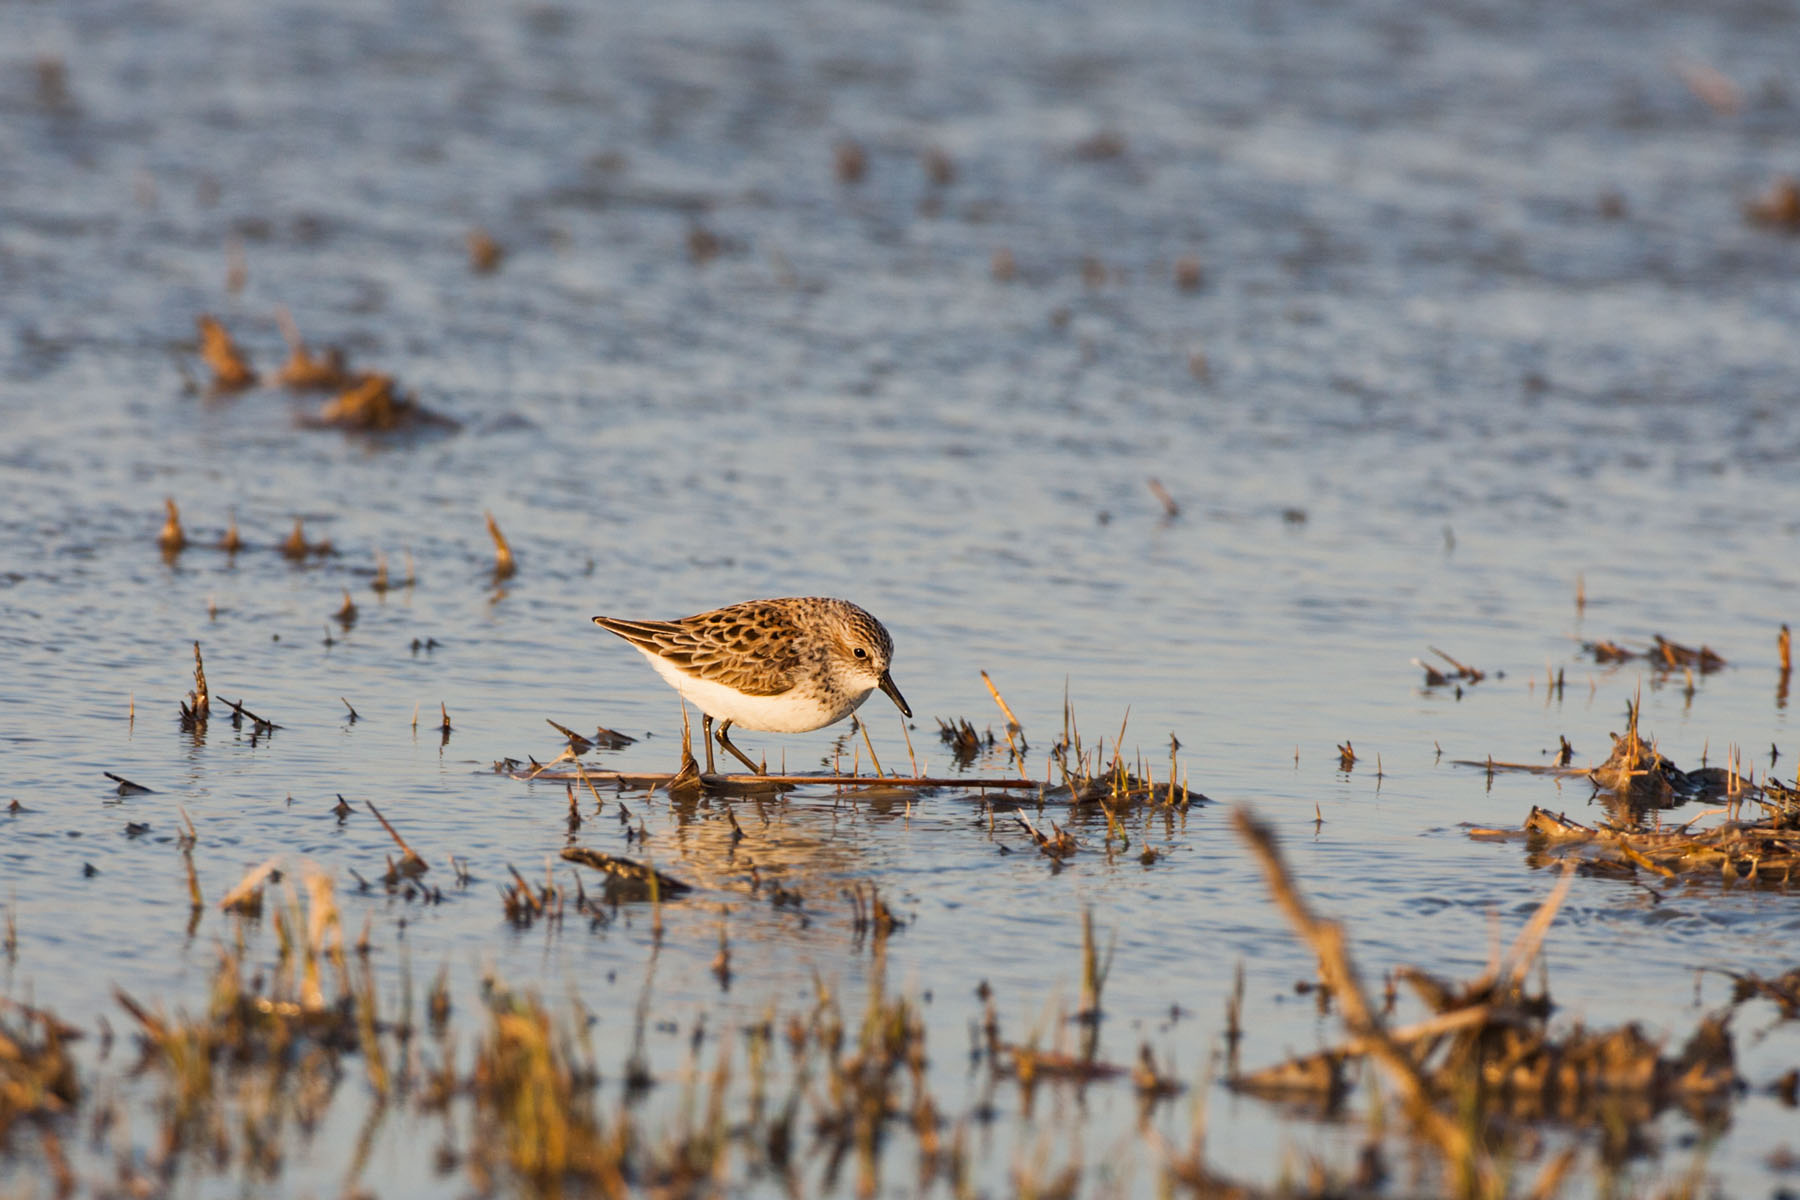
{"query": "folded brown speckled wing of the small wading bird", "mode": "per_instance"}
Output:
(746, 647)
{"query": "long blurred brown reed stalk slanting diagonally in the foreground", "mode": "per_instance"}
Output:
(1471, 1165)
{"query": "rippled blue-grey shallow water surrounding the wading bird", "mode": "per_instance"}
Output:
(1441, 384)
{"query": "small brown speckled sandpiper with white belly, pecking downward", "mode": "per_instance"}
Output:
(778, 665)
